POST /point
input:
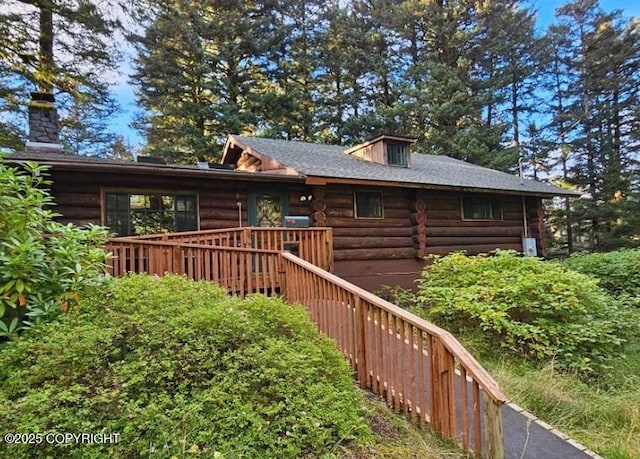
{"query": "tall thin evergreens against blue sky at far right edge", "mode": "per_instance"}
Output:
(598, 121)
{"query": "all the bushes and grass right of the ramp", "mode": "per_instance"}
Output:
(591, 393)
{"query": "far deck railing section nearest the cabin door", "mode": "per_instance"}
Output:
(314, 245)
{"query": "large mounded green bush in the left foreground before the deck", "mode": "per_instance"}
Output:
(176, 367)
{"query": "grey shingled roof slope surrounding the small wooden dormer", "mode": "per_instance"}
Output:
(329, 161)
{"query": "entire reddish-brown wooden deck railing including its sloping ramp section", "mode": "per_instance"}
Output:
(419, 369)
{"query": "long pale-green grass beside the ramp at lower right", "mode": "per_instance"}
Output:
(603, 414)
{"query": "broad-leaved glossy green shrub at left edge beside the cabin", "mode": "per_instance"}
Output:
(43, 264)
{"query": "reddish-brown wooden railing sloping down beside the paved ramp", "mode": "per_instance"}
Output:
(420, 369)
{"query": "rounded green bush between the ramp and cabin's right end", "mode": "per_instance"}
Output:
(525, 306)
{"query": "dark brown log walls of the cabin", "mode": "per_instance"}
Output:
(369, 252)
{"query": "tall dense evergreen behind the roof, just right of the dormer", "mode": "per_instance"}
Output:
(445, 95)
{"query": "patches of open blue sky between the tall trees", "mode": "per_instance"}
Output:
(125, 96)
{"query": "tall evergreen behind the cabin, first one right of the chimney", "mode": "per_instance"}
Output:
(197, 76)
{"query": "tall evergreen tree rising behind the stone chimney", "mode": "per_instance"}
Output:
(62, 46)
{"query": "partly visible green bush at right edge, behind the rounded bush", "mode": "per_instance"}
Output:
(618, 272)
